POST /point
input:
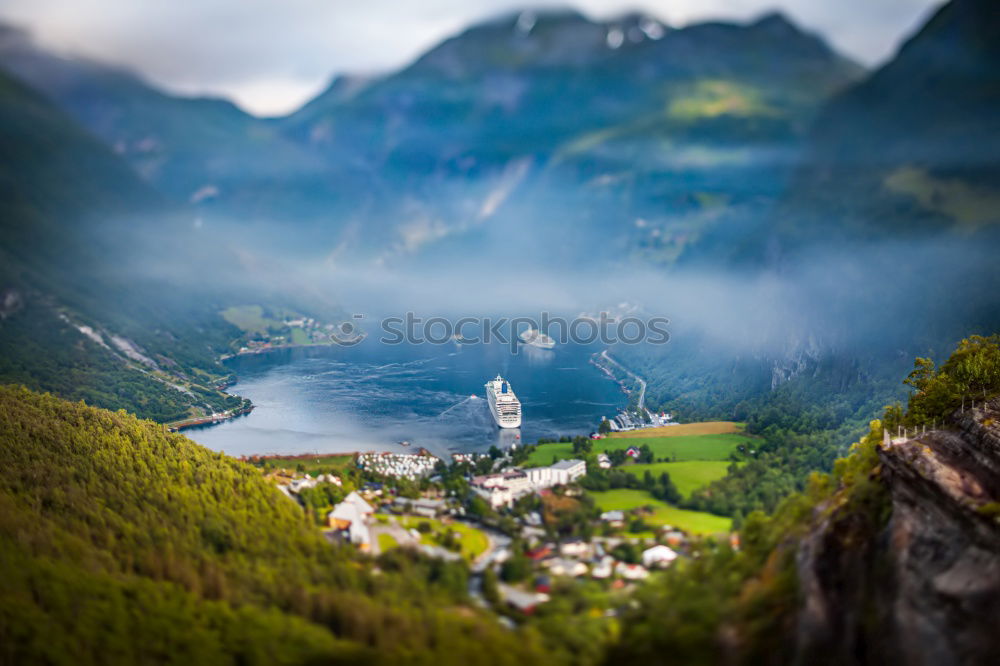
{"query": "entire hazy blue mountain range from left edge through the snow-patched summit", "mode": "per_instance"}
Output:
(629, 134)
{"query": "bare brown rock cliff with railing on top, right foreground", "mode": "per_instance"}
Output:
(911, 575)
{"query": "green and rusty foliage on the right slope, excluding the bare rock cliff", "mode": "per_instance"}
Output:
(752, 593)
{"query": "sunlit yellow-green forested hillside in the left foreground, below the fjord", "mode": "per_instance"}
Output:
(122, 543)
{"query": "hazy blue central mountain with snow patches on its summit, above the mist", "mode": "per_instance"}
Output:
(540, 124)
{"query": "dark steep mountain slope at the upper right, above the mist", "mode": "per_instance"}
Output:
(914, 148)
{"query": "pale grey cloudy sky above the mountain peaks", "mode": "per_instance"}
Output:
(271, 55)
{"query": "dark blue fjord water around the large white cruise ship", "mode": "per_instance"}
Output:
(372, 396)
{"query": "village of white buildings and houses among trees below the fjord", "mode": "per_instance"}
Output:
(525, 530)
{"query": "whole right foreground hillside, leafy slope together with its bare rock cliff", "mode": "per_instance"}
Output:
(890, 558)
